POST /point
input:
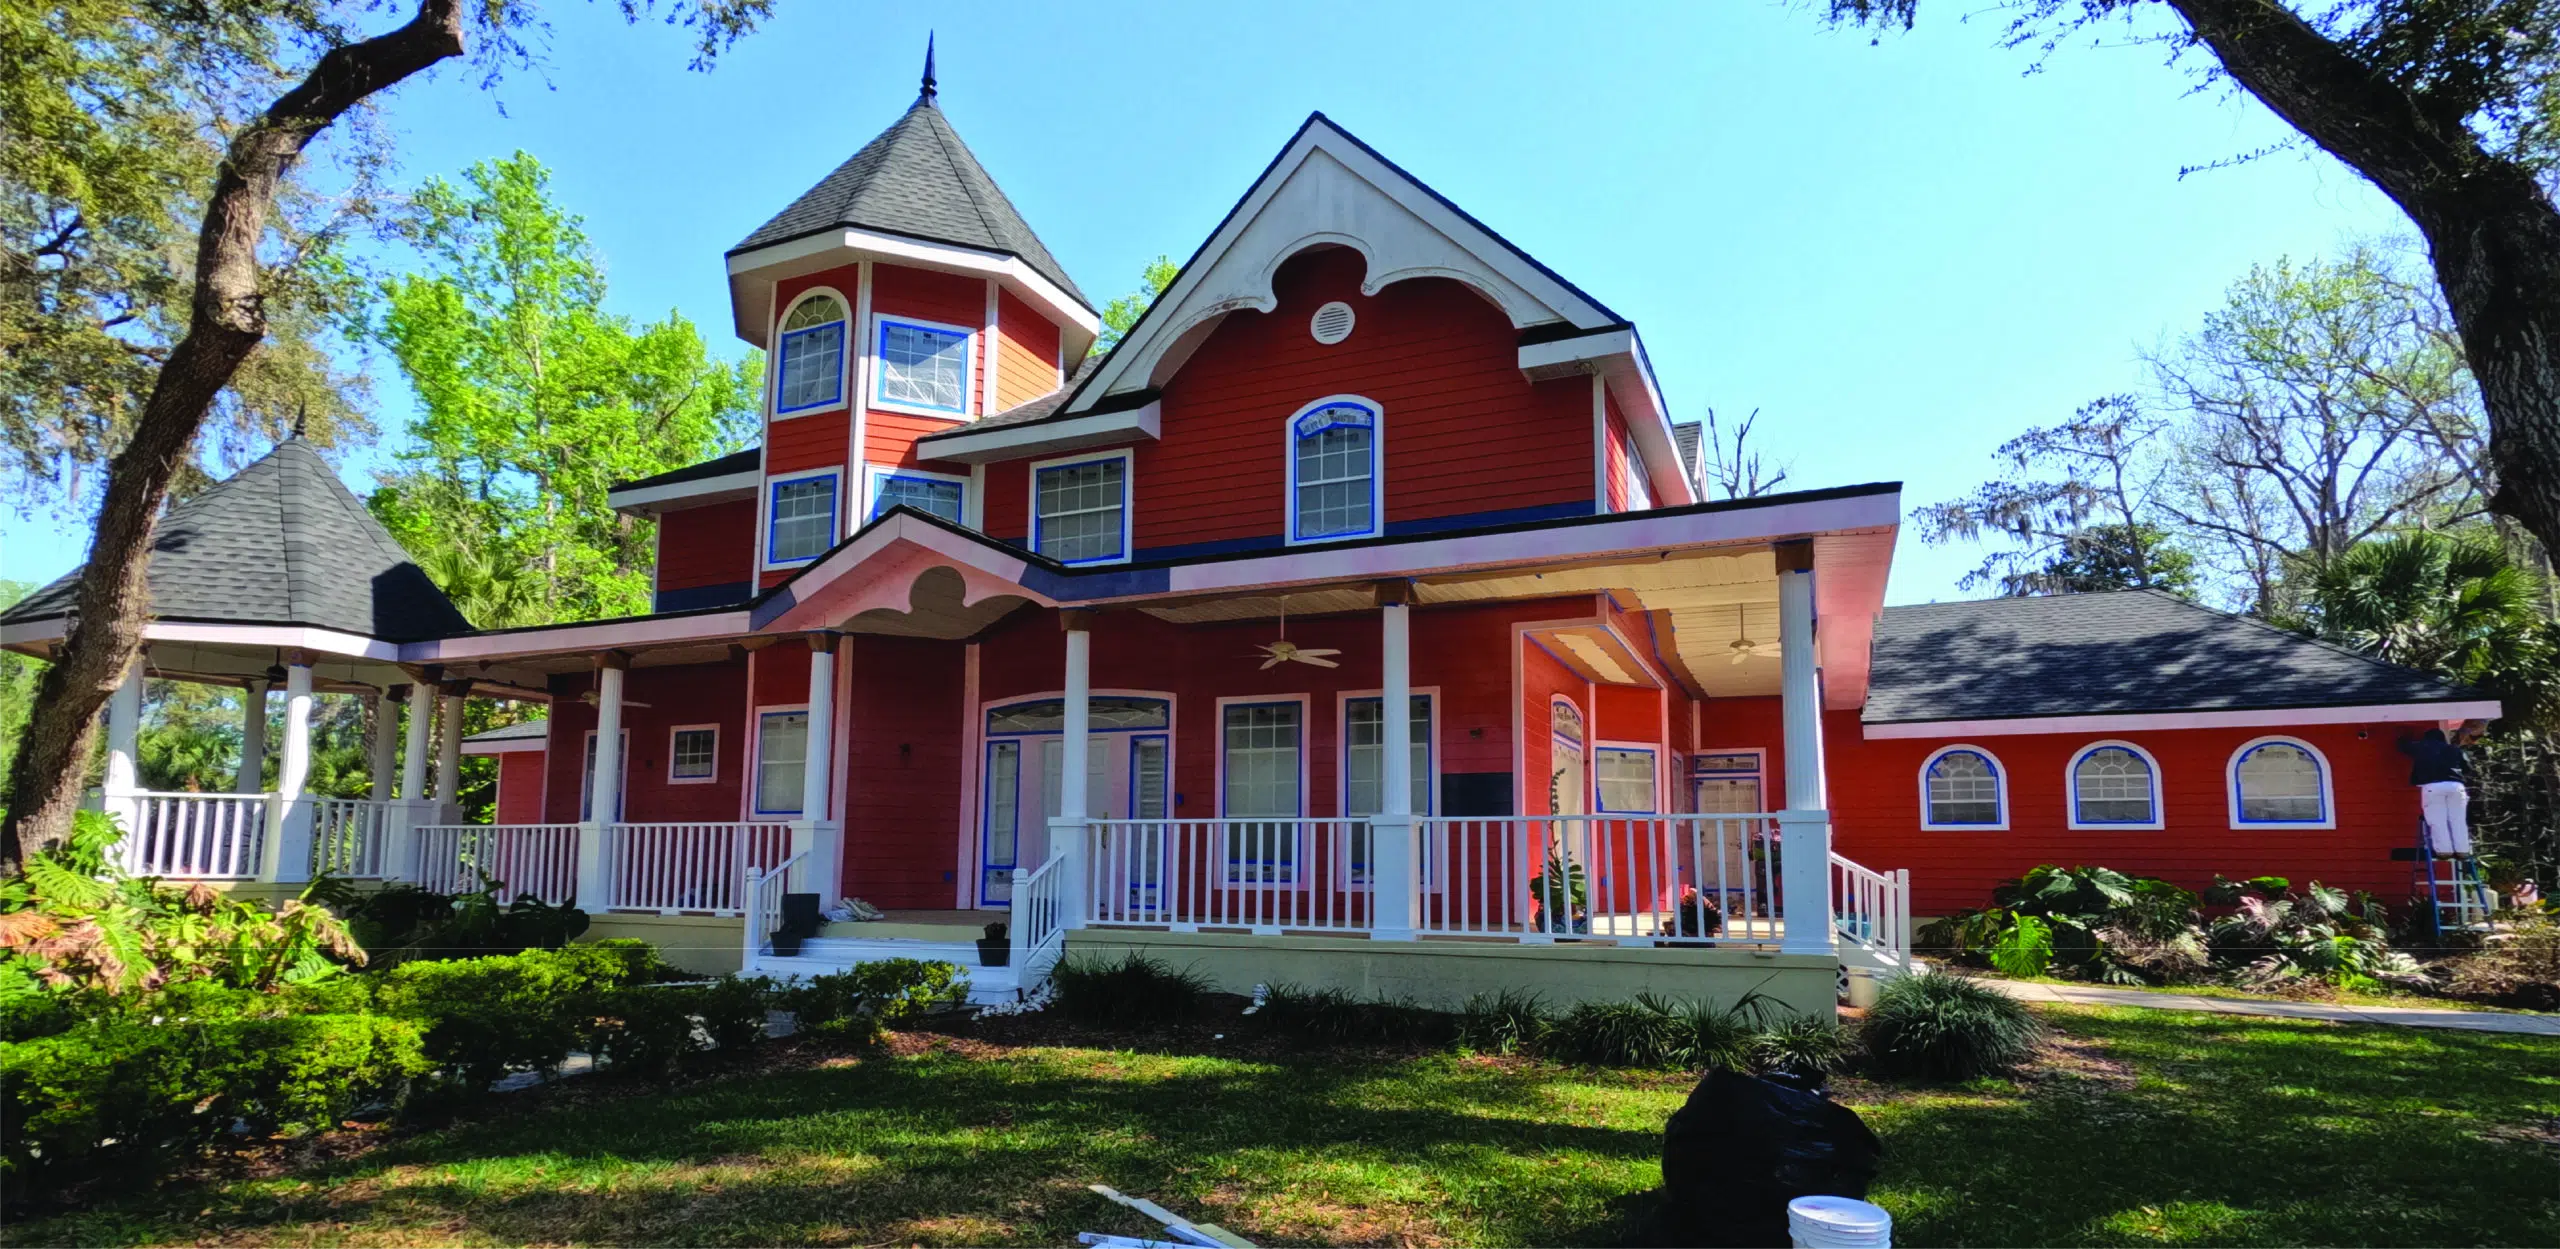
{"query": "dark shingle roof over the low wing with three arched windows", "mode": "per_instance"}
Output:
(2113, 654)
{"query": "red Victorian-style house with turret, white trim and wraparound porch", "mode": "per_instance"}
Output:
(1361, 618)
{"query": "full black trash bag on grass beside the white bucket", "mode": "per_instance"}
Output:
(1745, 1148)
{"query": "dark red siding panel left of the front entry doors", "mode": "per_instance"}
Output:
(905, 769)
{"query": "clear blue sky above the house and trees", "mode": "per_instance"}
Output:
(1898, 252)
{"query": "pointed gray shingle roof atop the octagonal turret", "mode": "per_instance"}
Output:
(918, 180)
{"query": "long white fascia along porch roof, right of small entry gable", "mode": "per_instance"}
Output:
(1635, 534)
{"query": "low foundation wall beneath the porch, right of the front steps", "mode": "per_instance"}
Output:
(1448, 974)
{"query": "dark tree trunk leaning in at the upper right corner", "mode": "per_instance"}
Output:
(2490, 229)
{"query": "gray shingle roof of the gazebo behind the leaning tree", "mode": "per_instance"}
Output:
(280, 544)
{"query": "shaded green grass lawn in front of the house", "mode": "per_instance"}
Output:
(2141, 1127)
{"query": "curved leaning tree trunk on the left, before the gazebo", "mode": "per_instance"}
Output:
(224, 326)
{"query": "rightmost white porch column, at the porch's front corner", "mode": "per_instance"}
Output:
(1806, 825)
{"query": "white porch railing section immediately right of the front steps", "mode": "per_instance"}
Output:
(1230, 874)
